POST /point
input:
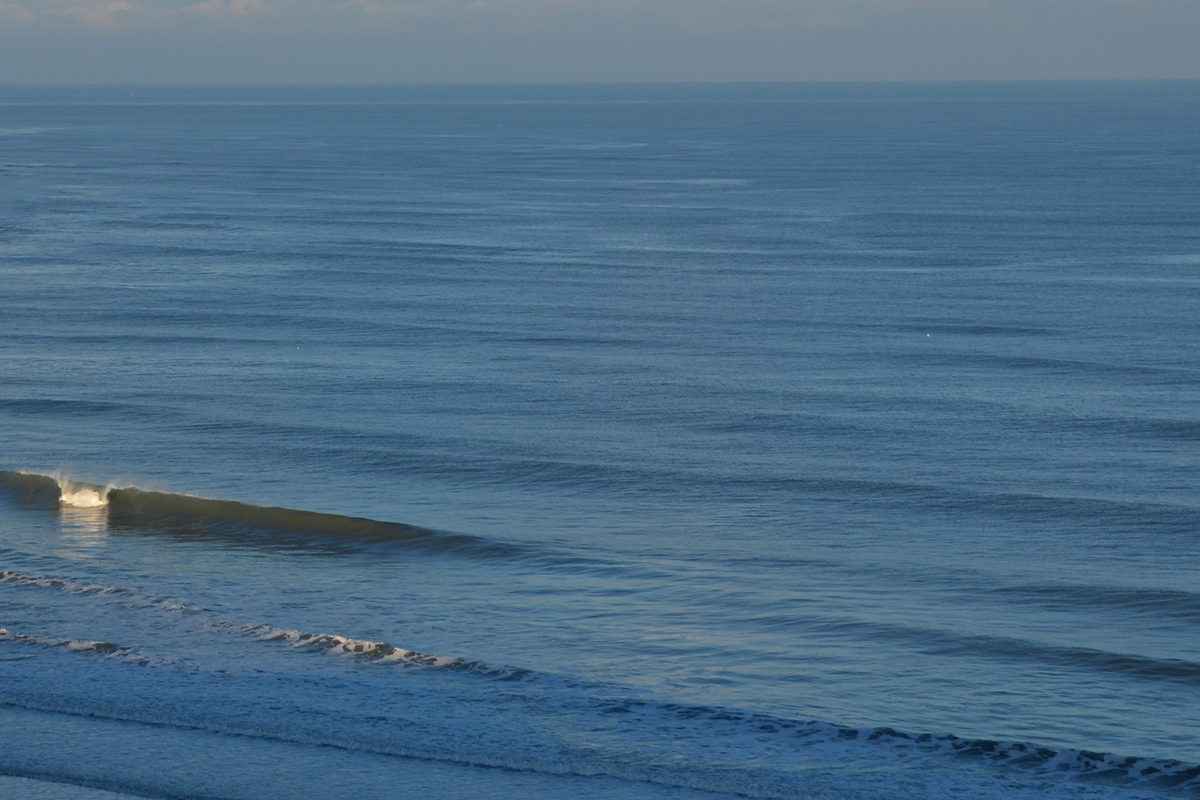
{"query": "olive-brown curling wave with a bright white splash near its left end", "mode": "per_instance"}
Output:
(195, 518)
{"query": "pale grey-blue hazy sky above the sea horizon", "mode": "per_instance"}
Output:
(572, 41)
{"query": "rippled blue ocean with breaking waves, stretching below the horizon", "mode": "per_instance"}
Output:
(823, 442)
